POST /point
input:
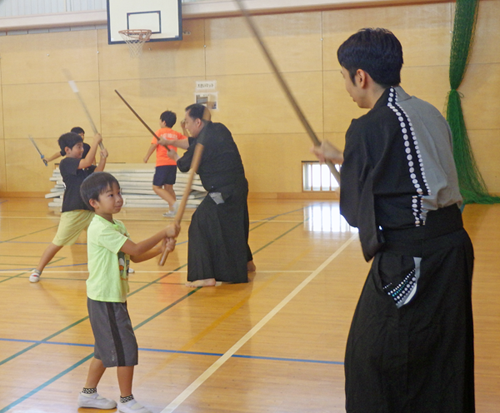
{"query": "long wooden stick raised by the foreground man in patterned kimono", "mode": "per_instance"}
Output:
(284, 85)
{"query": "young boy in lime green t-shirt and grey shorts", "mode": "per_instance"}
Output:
(109, 254)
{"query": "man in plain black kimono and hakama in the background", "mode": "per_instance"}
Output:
(218, 235)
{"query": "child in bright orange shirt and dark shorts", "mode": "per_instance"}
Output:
(166, 168)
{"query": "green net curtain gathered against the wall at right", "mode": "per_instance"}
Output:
(472, 185)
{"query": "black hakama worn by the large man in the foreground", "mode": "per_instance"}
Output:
(418, 358)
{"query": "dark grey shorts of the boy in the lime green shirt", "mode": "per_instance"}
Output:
(115, 342)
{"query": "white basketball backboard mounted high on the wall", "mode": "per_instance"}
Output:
(162, 17)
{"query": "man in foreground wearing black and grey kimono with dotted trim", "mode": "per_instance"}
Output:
(410, 346)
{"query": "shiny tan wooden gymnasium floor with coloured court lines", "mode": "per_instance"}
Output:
(274, 345)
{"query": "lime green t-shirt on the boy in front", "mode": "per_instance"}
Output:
(108, 266)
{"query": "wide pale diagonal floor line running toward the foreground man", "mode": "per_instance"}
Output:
(226, 356)
